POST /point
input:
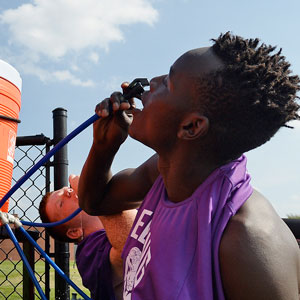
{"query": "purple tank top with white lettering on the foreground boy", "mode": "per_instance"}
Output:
(172, 250)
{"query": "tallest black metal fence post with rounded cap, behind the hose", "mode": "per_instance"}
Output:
(62, 255)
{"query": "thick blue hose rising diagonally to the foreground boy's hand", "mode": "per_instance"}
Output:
(57, 147)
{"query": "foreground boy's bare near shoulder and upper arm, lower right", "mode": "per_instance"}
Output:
(259, 256)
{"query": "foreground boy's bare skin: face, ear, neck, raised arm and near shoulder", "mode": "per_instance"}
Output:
(171, 124)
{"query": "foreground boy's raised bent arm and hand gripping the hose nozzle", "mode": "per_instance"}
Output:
(99, 192)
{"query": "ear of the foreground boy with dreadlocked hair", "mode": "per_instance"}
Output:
(193, 126)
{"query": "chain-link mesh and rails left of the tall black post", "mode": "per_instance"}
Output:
(14, 281)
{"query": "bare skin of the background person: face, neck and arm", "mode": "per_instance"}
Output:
(61, 203)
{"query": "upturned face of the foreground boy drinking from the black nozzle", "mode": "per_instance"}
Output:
(170, 98)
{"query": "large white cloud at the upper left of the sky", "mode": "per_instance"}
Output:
(59, 29)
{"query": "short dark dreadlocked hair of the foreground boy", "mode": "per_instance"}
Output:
(250, 98)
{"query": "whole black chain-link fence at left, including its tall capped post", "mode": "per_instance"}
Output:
(15, 282)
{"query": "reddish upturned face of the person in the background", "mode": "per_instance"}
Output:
(61, 204)
